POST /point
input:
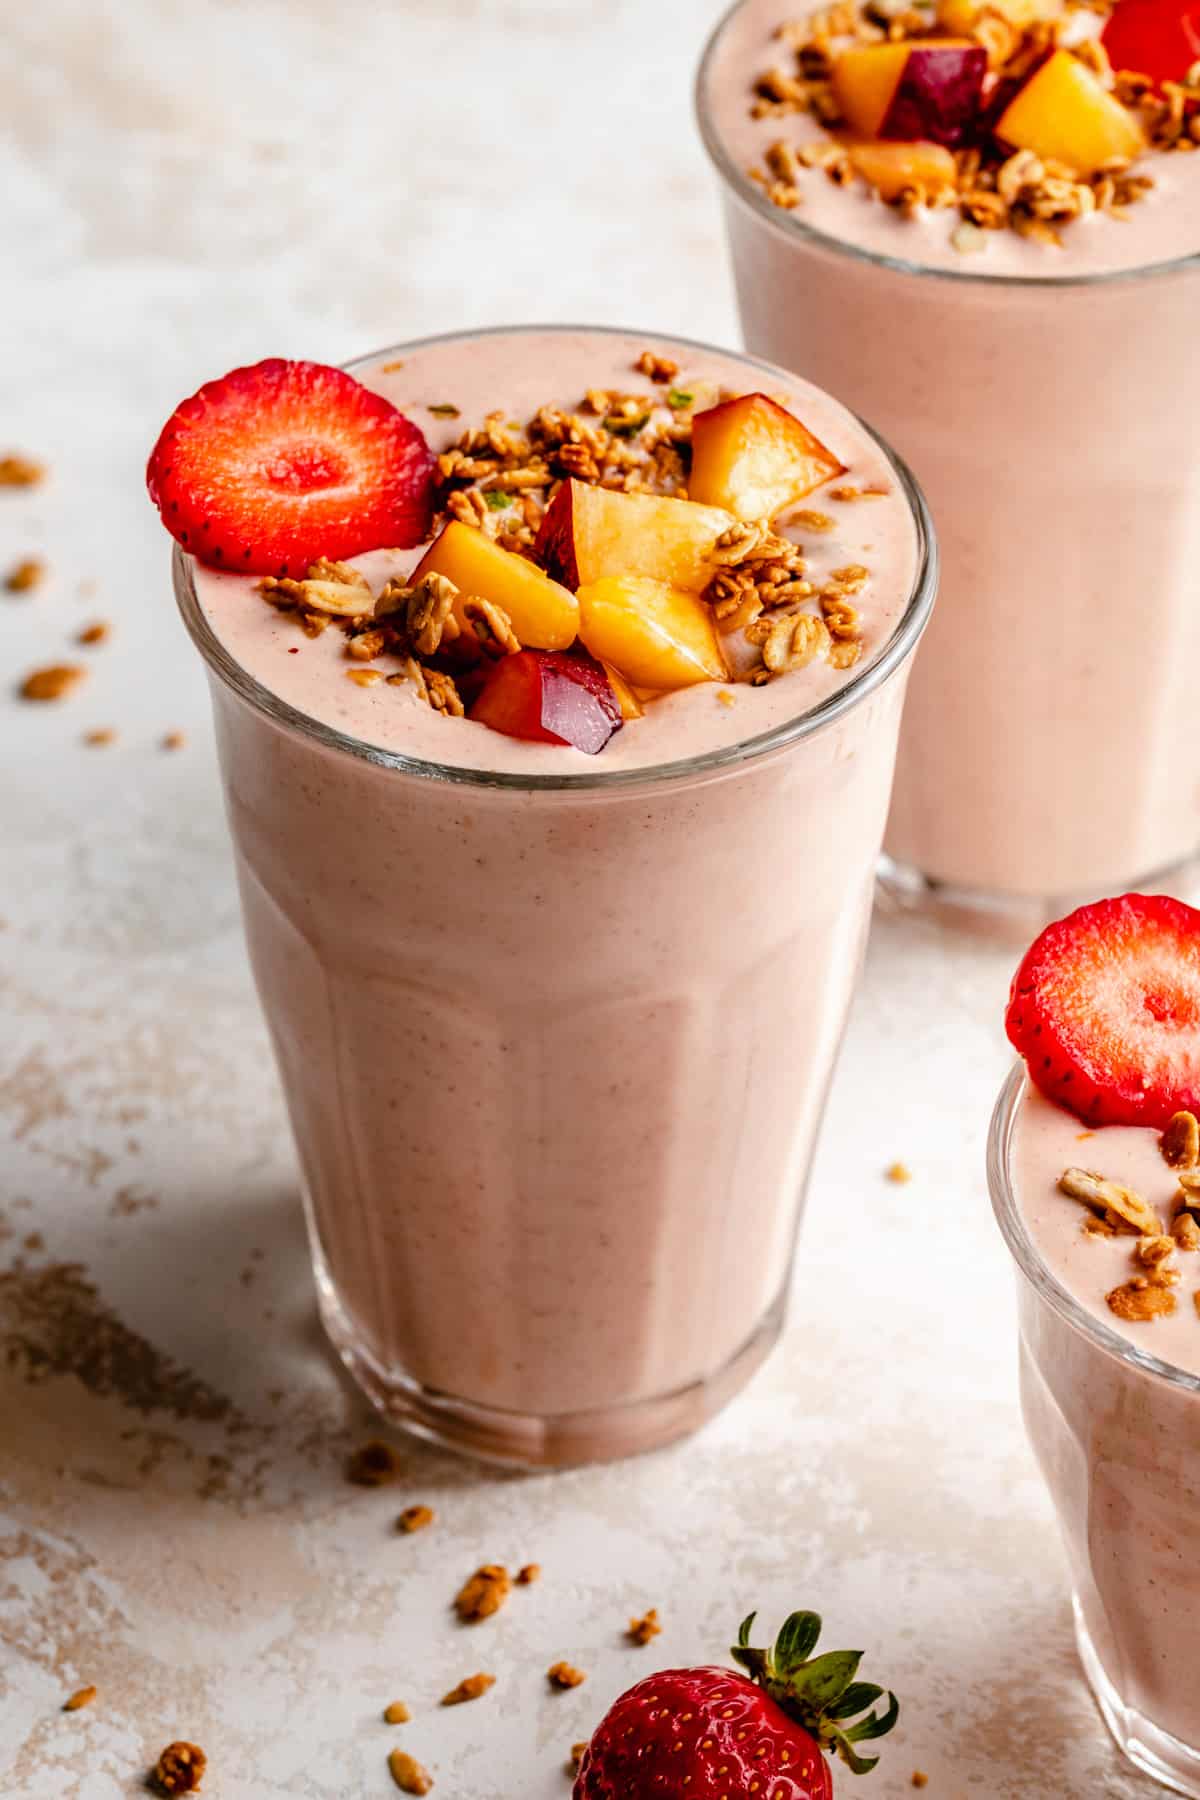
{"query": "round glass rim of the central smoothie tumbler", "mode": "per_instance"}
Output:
(873, 674)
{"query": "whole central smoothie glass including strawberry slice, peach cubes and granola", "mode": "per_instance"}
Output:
(557, 723)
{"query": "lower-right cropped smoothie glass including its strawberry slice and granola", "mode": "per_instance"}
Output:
(1095, 1171)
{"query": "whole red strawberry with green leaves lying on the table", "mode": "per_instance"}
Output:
(717, 1736)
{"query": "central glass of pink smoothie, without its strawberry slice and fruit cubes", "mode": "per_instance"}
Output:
(555, 1030)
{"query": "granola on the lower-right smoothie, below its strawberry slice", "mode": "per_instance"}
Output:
(1116, 1210)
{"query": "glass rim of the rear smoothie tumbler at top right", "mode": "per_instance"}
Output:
(793, 226)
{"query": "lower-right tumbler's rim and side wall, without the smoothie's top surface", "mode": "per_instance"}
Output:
(1118, 1439)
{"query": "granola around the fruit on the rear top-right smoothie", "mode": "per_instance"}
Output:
(992, 190)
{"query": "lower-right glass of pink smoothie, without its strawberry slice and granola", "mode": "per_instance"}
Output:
(1116, 1428)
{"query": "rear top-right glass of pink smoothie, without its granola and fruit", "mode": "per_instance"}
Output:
(1050, 402)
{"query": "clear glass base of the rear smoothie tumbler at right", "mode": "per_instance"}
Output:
(1012, 919)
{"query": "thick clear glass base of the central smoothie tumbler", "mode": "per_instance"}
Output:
(526, 1441)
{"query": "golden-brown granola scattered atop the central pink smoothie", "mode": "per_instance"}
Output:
(503, 476)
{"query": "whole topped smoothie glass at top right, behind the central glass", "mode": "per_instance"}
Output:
(980, 224)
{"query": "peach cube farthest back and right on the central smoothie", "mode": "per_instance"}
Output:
(755, 458)
